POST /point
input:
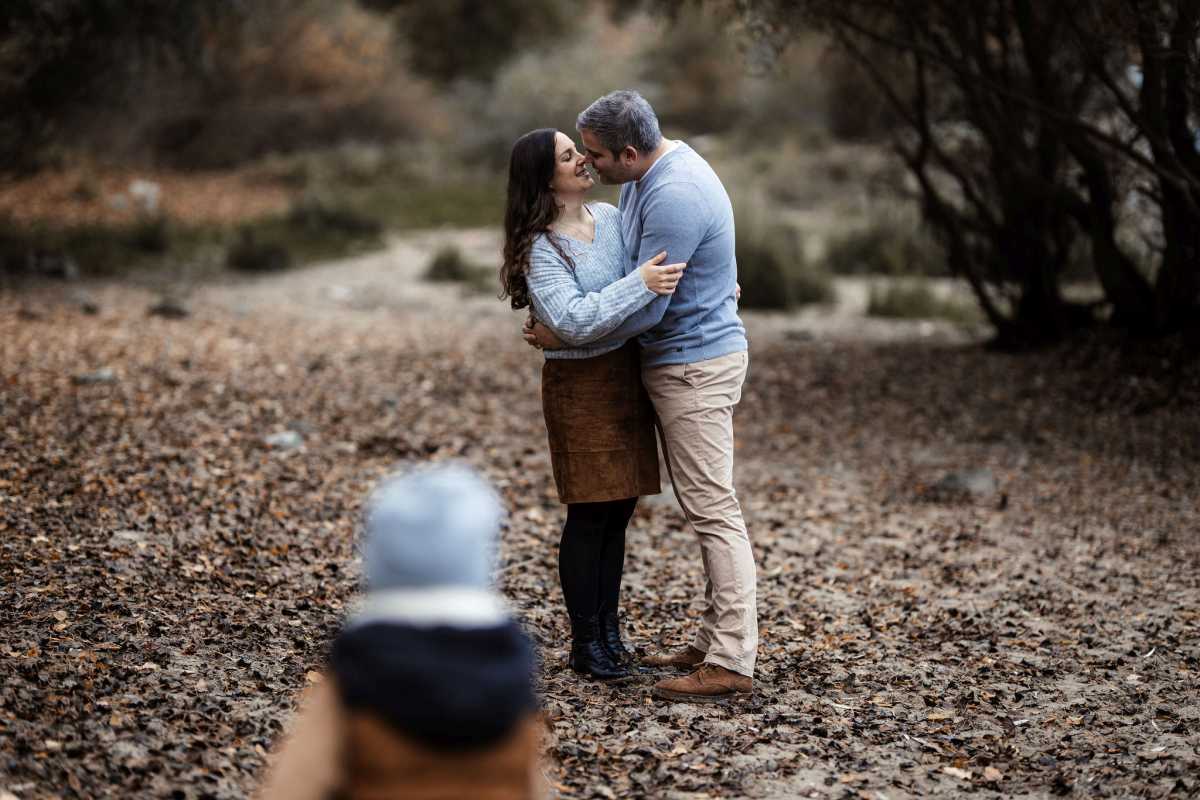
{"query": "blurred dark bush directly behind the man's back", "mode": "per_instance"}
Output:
(775, 274)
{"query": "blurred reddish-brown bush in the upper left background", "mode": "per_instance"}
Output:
(291, 77)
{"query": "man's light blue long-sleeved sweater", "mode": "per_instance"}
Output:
(681, 207)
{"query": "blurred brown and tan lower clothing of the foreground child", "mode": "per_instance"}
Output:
(333, 754)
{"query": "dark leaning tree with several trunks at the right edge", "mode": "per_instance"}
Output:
(1043, 139)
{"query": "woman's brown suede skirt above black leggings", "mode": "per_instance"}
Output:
(601, 424)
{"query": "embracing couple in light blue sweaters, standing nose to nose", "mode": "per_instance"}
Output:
(637, 312)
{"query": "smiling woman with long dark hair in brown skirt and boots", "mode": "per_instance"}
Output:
(567, 260)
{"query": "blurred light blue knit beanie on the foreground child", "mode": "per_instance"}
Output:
(431, 527)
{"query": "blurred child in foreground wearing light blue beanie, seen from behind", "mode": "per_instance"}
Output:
(430, 690)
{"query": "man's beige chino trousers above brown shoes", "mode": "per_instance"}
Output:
(695, 404)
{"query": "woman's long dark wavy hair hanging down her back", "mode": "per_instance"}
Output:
(531, 210)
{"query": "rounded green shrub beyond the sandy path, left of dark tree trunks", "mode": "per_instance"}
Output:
(886, 248)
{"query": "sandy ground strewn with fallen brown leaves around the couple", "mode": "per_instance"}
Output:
(169, 581)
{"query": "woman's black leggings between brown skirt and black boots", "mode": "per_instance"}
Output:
(592, 556)
